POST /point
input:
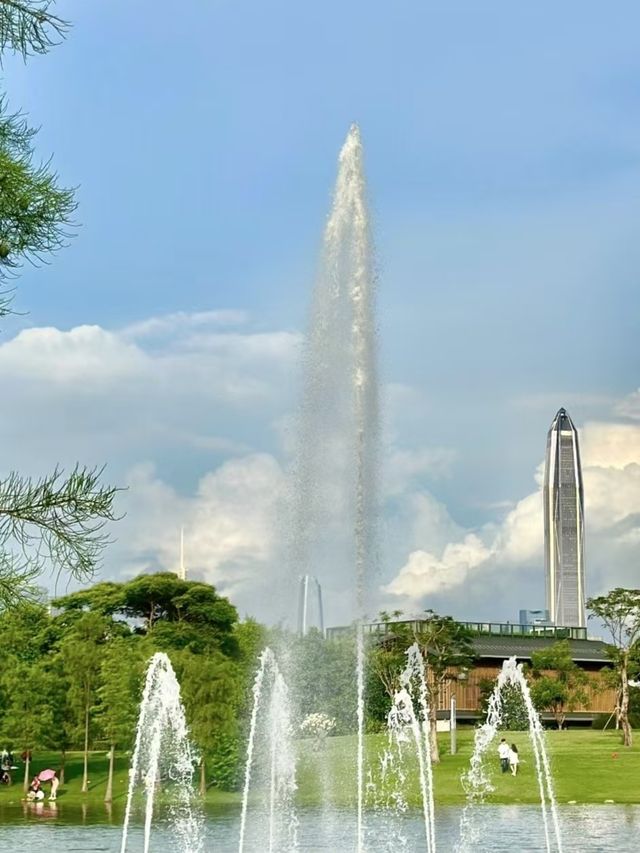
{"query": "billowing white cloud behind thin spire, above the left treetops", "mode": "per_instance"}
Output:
(230, 523)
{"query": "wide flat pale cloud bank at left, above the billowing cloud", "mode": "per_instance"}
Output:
(120, 396)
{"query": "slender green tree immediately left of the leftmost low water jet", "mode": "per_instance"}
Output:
(121, 673)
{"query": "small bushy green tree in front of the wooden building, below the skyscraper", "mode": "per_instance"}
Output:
(558, 684)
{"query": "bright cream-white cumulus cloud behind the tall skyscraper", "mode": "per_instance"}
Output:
(611, 472)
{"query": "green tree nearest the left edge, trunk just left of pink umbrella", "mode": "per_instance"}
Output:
(27, 716)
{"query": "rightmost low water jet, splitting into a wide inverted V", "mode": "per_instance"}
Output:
(478, 783)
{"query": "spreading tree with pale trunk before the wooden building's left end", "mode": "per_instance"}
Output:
(446, 647)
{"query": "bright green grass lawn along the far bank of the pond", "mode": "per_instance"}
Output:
(588, 767)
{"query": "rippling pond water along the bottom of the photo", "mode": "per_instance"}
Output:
(586, 829)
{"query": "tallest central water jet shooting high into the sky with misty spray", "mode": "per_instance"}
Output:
(335, 489)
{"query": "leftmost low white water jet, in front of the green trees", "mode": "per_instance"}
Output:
(162, 750)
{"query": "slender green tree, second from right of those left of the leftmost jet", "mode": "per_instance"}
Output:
(82, 650)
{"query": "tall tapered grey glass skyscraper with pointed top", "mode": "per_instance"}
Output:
(564, 524)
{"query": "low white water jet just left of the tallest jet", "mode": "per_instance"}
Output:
(278, 753)
